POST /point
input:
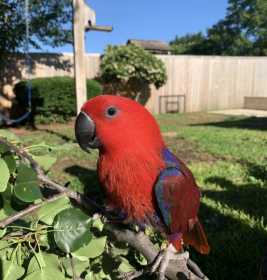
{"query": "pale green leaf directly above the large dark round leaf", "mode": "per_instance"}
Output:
(48, 211)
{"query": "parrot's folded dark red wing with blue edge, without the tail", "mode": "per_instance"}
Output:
(177, 194)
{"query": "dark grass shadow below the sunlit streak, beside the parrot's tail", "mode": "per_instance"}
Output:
(237, 249)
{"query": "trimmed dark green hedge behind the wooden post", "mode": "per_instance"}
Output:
(53, 99)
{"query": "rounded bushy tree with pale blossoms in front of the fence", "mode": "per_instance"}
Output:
(130, 70)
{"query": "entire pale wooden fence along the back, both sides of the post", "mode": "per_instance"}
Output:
(199, 83)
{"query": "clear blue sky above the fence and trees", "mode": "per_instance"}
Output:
(148, 20)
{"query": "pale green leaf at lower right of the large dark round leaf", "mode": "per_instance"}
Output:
(94, 249)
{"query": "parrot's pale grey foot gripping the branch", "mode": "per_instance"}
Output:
(164, 257)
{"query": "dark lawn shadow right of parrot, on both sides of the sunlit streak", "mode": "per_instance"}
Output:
(237, 247)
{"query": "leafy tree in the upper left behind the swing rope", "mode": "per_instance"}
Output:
(49, 24)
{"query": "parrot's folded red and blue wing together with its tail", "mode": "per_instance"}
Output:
(178, 197)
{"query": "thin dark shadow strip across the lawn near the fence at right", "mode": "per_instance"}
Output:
(256, 123)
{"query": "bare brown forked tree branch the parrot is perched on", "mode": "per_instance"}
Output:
(139, 241)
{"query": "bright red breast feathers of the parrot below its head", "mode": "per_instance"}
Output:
(129, 180)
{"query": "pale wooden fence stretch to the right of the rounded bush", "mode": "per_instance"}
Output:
(213, 82)
